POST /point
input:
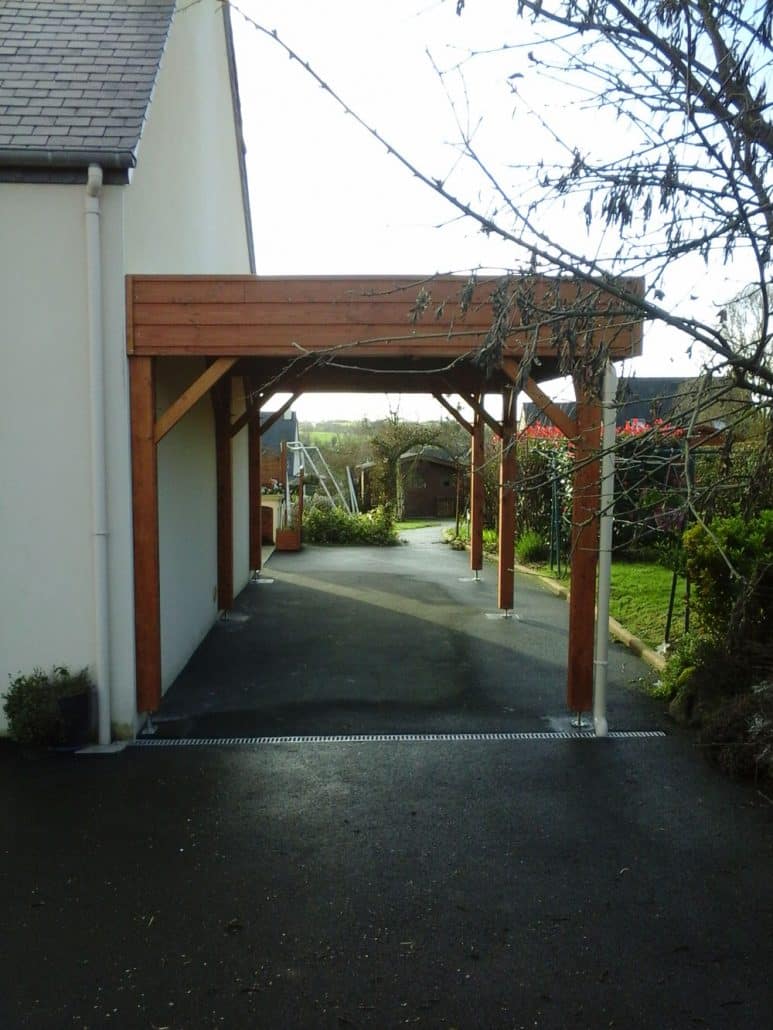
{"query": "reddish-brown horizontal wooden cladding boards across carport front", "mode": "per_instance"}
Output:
(381, 318)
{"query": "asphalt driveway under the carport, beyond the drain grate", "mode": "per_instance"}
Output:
(388, 641)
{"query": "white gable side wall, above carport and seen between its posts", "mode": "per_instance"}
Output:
(184, 215)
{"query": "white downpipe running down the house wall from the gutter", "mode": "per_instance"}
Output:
(99, 458)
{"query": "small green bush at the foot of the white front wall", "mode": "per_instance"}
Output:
(32, 704)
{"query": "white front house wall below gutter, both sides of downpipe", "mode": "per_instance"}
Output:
(47, 596)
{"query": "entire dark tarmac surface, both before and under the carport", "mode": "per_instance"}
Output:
(536, 881)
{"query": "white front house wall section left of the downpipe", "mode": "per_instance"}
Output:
(46, 586)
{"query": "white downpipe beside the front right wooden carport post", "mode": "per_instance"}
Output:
(601, 664)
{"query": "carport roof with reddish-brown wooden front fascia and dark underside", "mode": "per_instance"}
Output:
(407, 334)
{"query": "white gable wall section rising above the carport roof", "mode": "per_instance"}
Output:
(185, 211)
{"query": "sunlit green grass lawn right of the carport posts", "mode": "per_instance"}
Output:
(640, 600)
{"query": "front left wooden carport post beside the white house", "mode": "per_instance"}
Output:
(146, 525)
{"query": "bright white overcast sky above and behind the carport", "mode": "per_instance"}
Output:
(327, 199)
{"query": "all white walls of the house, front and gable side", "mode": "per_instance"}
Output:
(182, 214)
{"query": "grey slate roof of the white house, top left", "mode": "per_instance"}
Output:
(77, 79)
